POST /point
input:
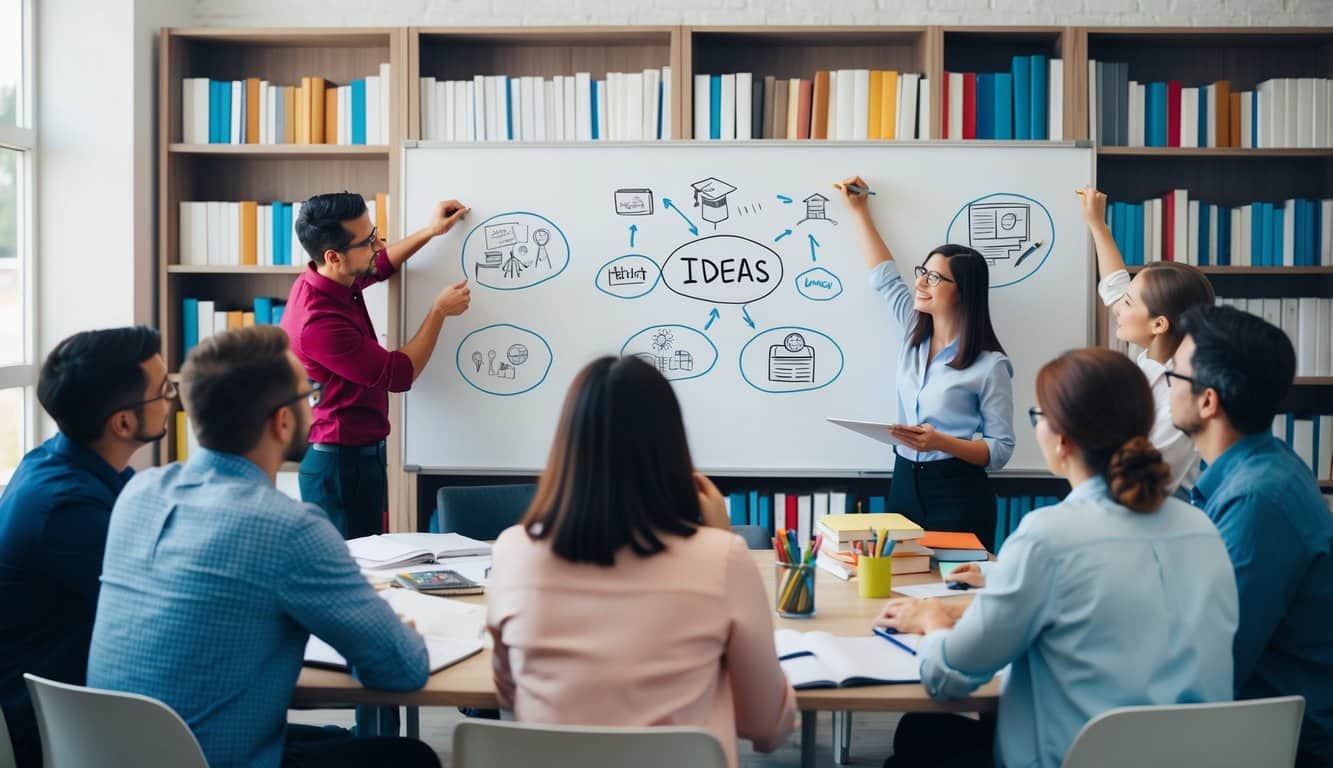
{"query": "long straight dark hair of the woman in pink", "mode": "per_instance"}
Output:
(619, 471)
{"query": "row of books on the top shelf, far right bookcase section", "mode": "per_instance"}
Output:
(1280, 113)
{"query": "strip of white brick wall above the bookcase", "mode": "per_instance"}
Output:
(505, 13)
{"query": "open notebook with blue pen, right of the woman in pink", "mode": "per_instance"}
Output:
(824, 661)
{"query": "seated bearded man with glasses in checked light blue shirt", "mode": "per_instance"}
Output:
(215, 579)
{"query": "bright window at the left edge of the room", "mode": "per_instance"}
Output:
(18, 145)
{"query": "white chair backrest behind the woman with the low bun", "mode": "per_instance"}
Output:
(1223, 735)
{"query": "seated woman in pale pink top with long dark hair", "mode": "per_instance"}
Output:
(623, 598)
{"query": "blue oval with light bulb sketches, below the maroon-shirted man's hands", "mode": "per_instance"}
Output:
(505, 359)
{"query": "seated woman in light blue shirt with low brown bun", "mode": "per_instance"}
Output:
(1116, 597)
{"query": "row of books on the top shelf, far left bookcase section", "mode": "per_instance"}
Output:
(254, 111)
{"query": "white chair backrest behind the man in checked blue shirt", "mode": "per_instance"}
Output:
(89, 729)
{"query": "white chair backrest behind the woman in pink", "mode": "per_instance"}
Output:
(479, 745)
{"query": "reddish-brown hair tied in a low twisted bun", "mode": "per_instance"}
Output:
(1102, 402)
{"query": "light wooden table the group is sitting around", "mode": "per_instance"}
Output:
(839, 610)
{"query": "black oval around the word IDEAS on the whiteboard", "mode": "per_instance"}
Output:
(723, 270)
